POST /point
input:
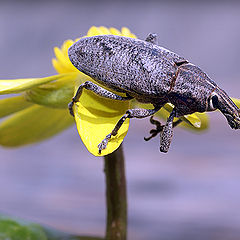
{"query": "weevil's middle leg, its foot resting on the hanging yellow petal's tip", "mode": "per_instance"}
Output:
(131, 113)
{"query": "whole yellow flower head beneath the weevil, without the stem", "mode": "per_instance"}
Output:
(40, 110)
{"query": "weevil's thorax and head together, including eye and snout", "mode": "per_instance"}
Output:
(194, 91)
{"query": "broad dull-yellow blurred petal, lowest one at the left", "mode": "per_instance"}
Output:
(33, 124)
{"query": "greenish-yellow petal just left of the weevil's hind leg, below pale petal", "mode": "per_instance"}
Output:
(56, 94)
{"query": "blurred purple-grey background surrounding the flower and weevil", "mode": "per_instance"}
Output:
(190, 193)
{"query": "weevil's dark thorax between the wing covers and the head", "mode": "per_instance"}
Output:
(191, 90)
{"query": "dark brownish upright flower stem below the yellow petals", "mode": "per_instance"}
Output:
(116, 228)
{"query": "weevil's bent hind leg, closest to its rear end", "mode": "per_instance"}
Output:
(96, 89)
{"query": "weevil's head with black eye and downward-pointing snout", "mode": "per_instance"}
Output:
(221, 101)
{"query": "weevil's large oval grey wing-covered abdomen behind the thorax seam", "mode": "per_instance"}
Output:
(142, 69)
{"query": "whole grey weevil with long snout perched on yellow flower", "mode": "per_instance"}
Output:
(150, 74)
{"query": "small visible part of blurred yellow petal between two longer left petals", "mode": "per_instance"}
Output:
(13, 104)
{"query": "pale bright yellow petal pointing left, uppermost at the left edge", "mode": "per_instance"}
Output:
(19, 85)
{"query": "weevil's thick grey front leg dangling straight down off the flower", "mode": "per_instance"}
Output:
(167, 133)
